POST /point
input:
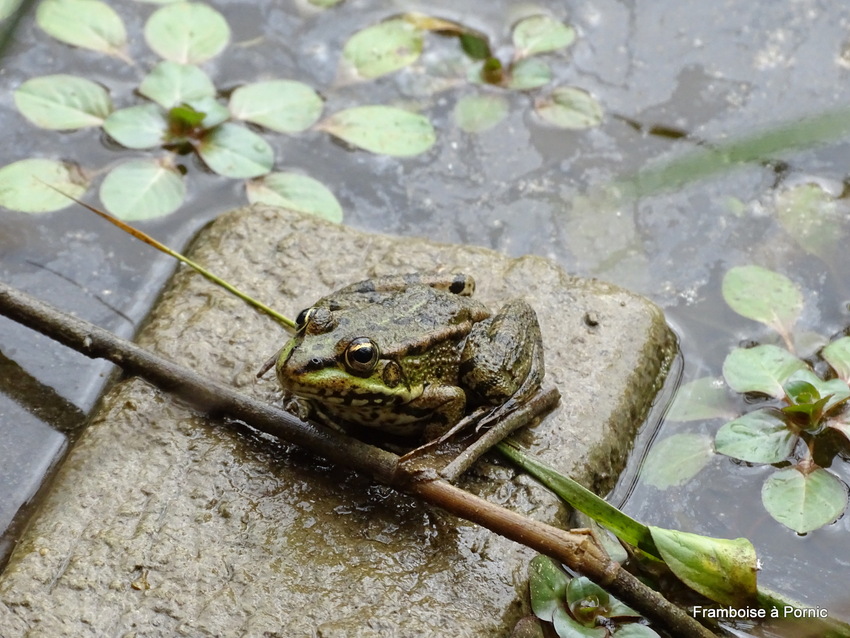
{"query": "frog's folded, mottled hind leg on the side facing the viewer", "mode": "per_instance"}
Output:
(502, 360)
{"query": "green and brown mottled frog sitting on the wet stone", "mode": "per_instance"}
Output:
(411, 355)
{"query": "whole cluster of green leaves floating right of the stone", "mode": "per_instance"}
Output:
(799, 415)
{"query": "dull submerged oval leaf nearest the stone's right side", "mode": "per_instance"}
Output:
(676, 460)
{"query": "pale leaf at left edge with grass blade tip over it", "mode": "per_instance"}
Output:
(23, 185)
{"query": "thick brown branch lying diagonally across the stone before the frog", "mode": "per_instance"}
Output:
(578, 551)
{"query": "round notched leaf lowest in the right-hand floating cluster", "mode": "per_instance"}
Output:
(804, 502)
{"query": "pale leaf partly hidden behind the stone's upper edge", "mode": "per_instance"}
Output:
(296, 192)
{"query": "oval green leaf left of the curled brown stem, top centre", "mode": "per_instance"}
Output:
(383, 48)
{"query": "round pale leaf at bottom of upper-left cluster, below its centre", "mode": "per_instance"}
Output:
(142, 189)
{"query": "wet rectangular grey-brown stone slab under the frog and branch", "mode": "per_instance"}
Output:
(164, 523)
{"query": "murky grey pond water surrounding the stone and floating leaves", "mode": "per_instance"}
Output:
(715, 72)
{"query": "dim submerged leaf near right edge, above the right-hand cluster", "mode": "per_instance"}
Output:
(812, 218)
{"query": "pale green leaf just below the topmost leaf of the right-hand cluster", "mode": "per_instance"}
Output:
(763, 369)
